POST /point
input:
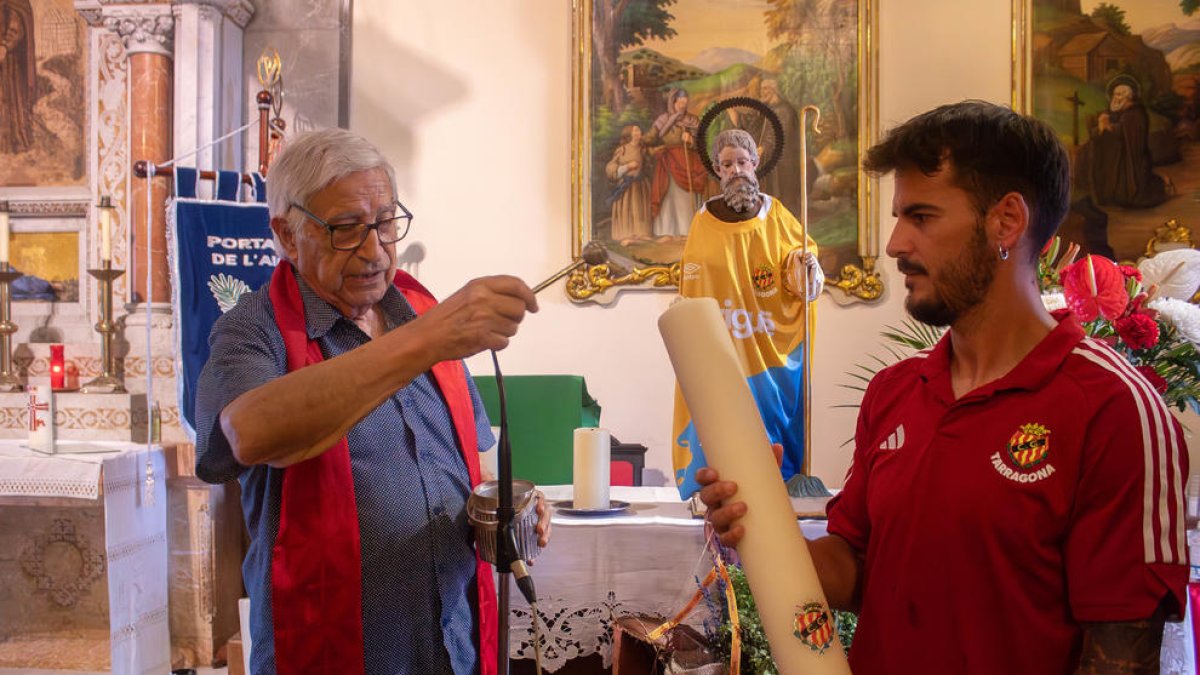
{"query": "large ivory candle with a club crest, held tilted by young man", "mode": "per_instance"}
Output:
(775, 555)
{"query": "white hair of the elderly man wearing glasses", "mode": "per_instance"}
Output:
(311, 163)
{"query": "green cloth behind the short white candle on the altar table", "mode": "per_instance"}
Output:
(544, 414)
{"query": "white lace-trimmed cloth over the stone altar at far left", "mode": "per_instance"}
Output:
(134, 483)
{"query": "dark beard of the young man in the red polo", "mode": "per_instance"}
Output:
(958, 289)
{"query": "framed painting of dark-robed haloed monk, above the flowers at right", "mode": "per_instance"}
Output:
(1120, 83)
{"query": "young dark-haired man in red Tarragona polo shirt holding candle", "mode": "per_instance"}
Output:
(1016, 499)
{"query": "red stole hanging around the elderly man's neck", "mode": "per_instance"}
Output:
(316, 565)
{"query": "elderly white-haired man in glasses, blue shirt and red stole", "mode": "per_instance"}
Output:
(337, 396)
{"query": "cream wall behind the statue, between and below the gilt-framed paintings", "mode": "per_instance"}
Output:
(472, 104)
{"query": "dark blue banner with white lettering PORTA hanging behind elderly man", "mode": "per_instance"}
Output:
(223, 250)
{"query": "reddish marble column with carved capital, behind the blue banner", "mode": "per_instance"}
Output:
(148, 34)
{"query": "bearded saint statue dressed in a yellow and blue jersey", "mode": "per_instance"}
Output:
(747, 250)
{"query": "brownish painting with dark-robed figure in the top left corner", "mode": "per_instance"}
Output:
(44, 55)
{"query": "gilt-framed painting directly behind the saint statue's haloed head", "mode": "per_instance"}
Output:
(649, 77)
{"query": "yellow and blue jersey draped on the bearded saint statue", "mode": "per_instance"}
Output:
(741, 265)
